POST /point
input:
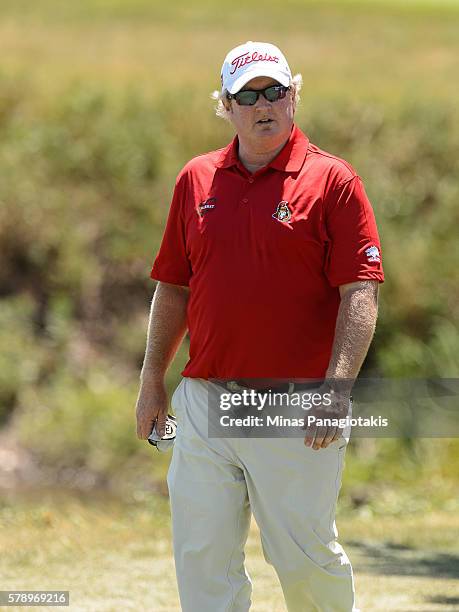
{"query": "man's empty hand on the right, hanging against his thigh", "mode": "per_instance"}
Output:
(335, 405)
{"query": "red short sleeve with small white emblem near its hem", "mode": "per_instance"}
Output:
(354, 249)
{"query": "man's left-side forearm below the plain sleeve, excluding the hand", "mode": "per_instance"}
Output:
(166, 328)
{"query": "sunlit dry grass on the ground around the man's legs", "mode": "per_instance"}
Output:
(114, 555)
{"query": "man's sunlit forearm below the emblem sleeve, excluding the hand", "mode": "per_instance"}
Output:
(355, 326)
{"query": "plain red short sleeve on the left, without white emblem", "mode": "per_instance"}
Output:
(172, 264)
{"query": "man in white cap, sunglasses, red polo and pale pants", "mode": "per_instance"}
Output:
(271, 260)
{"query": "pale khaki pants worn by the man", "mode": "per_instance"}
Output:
(215, 484)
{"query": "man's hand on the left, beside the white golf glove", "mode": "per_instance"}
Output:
(152, 407)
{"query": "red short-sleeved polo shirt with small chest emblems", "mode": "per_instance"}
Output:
(263, 255)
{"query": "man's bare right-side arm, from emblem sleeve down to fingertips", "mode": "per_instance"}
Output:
(355, 326)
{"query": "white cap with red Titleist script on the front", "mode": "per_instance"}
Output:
(251, 60)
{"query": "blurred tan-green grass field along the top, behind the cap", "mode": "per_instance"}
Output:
(352, 49)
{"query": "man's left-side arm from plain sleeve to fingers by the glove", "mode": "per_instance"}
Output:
(166, 328)
